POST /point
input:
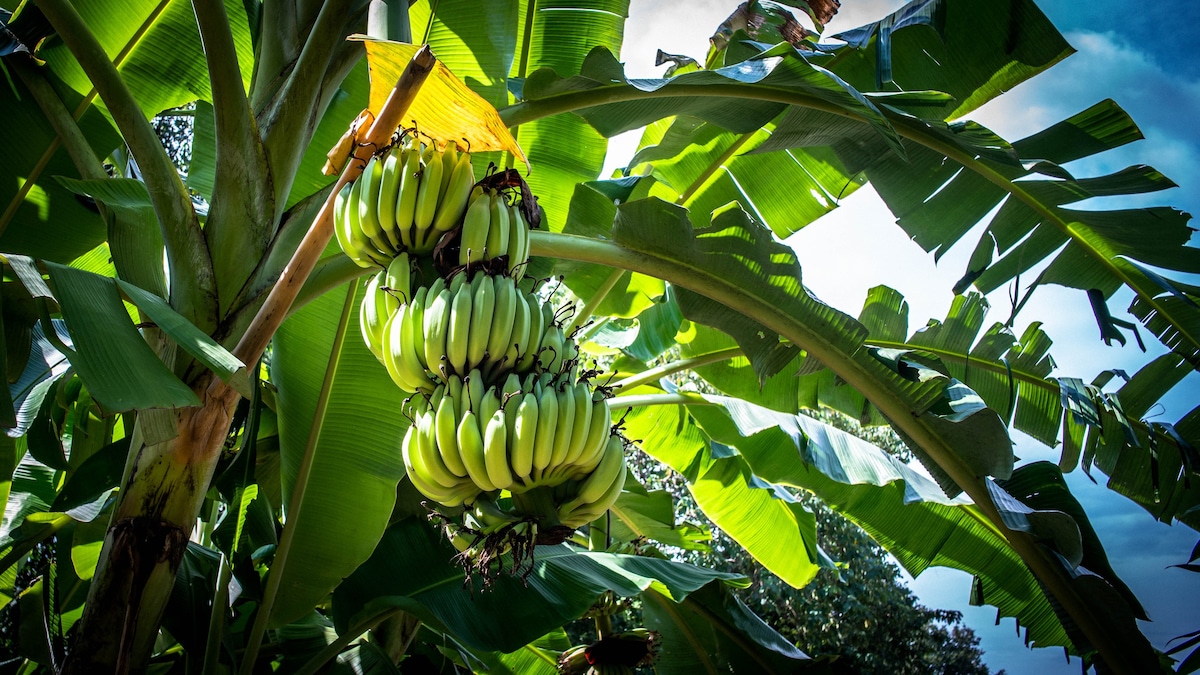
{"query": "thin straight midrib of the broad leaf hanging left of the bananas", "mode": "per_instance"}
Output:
(296, 505)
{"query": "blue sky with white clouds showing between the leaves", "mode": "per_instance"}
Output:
(1141, 55)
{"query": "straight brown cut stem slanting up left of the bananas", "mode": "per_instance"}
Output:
(284, 294)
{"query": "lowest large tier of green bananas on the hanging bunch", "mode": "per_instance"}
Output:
(529, 434)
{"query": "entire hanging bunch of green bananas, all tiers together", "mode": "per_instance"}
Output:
(508, 437)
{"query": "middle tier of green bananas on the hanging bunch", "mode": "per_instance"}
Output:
(488, 324)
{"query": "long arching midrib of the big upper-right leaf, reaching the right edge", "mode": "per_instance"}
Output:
(907, 128)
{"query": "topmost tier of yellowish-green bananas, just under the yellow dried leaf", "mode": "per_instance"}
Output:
(405, 201)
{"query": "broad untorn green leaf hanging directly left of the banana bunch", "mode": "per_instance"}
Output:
(340, 433)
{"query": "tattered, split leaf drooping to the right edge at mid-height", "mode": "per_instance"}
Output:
(1153, 463)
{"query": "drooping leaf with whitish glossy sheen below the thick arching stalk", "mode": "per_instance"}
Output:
(907, 513)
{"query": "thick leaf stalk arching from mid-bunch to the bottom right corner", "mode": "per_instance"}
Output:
(855, 372)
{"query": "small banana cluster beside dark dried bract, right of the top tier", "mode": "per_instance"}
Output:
(495, 229)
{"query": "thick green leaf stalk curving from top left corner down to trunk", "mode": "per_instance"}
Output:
(193, 283)
